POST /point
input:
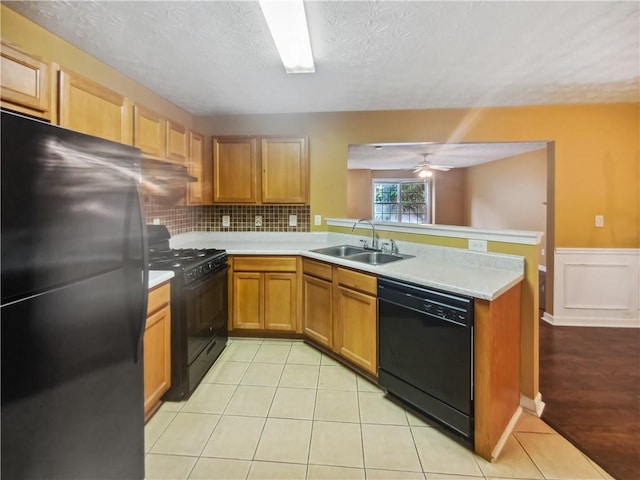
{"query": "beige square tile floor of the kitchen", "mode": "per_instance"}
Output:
(280, 409)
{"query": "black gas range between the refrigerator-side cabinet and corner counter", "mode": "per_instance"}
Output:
(198, 308)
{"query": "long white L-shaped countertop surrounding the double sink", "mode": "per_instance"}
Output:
(476, 274)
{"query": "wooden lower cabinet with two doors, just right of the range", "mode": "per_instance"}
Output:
(265, 294)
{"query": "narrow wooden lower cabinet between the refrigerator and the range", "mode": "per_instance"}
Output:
(157, 348)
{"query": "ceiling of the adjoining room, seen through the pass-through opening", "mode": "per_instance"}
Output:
(406, 156)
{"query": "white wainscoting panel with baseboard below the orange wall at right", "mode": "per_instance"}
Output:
(598, 287)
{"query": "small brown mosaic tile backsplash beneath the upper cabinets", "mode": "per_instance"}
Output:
(242, 218)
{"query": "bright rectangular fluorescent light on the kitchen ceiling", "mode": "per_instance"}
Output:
(288, 25)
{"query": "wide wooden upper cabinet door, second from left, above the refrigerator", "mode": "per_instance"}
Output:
(88, 107)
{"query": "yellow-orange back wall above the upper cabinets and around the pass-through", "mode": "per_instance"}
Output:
(596, 157)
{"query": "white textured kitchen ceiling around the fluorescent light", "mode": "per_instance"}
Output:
(218, 57)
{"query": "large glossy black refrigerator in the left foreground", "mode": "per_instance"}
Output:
(74, 293)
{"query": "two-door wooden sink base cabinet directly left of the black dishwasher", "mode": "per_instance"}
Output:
(340, 312)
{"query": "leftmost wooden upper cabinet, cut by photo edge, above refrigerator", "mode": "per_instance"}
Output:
(24, 82)
